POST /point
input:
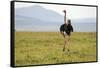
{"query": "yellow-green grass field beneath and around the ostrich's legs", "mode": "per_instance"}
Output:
(35, 48)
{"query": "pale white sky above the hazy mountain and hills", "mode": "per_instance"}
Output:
(73, 12)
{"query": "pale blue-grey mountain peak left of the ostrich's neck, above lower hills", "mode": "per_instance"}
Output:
(39, 13)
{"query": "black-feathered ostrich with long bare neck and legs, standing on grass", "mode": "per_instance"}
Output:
(66, 29)
